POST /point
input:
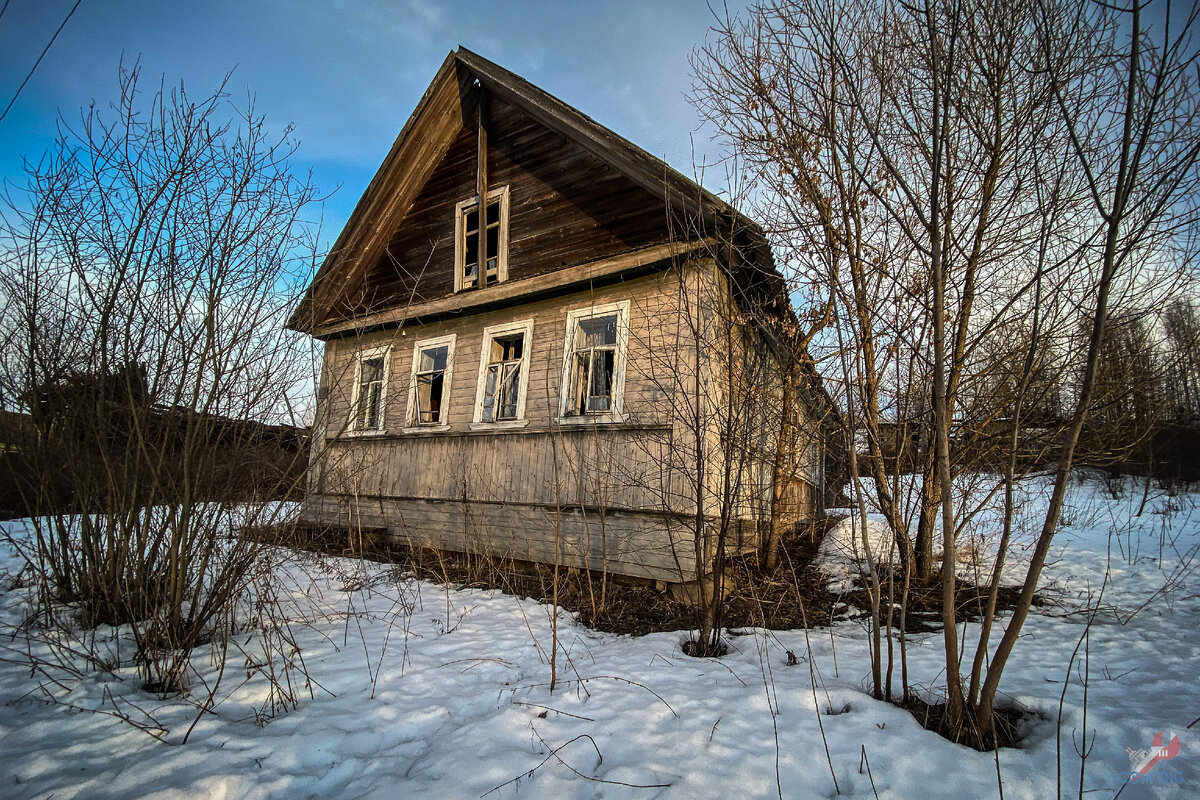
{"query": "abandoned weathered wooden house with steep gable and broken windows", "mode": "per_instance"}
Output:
(544, 345)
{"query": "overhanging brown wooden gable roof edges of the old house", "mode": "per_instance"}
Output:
(440, 116)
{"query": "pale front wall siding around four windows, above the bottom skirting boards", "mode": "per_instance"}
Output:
(621, 466)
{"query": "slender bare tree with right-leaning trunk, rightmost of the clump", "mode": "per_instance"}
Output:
(1131, 104)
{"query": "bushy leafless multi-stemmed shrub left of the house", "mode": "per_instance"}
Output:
(147, 273)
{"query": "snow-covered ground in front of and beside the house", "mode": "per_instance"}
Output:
(429, 693)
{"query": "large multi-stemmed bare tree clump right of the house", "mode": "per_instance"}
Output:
(943, 177)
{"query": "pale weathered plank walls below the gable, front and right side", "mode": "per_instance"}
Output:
(506, 492)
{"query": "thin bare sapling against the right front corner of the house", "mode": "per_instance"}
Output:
(735, 437)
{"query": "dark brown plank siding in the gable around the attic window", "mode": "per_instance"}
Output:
(568, 208)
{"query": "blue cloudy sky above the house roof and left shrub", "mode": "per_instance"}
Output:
(347, 74)
